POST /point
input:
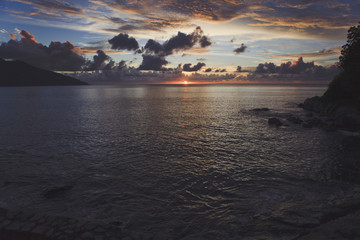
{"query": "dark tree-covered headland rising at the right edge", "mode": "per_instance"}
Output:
(341, 101)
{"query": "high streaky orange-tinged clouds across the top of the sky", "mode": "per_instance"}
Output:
(316, 18)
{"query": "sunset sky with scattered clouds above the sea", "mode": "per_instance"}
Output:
(221, 40)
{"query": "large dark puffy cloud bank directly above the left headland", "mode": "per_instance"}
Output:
(56, 56)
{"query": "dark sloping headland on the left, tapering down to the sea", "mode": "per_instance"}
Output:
(17, 73)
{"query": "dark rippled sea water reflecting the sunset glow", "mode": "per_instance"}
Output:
(183, 161)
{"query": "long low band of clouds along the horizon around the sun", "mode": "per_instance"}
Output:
(297, 71)
